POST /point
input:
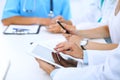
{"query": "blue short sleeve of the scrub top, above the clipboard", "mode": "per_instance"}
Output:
(11, 9)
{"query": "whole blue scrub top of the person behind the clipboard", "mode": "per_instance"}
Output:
(36, 8)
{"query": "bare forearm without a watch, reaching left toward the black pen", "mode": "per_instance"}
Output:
(100, 32)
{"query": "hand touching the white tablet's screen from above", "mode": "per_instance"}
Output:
(69, 48)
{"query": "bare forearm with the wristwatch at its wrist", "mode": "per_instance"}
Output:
(100, 46)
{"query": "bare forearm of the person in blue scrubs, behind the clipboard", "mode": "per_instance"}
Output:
(25, 20)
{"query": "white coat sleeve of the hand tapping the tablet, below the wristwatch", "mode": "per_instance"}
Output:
(96, 57)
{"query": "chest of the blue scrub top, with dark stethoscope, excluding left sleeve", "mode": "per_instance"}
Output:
(39, 8)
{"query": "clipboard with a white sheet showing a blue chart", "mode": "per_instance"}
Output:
(22, 29)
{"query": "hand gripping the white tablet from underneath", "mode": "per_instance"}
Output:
(45, 66)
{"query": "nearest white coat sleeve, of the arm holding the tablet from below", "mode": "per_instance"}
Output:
(109, 70)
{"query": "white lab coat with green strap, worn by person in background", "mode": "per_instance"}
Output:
(90, 11)
